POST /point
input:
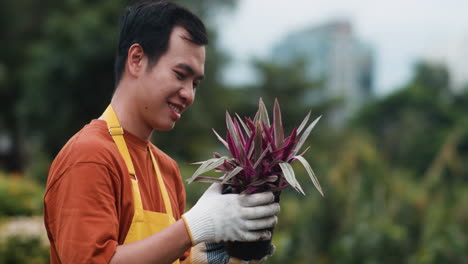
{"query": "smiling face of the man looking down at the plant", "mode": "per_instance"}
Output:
(168, 88)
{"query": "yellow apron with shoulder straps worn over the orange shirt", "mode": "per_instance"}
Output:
(144, 223)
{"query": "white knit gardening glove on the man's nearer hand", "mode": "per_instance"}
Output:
(231, 217)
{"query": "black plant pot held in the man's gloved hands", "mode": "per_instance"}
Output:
(255, 250)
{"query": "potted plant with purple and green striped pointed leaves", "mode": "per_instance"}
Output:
(260, 160)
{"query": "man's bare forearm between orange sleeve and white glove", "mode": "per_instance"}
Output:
(163, 247)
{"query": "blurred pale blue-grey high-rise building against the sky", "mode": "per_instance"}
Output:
(337, 57)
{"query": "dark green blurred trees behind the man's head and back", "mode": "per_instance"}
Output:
(57, 73)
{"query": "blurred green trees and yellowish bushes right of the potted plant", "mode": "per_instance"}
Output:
(394, 181)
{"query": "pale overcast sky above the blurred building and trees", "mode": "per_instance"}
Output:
(399, 31)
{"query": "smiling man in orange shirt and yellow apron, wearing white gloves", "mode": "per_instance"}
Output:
(111, 195)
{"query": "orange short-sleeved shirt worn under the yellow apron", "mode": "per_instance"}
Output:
(88, 204)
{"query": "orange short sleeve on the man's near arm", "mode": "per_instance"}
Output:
(81, 214)
